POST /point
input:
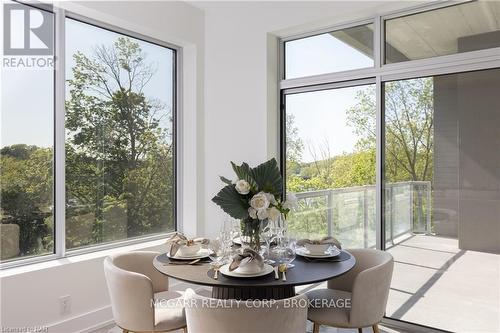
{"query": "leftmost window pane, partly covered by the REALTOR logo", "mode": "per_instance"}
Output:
(26, 158)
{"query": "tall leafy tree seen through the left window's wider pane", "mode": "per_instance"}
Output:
(119, 156)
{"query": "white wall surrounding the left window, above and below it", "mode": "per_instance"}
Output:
(30, 295)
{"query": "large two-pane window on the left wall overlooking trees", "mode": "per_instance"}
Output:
(97, 135)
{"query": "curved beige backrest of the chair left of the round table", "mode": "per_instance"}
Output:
(132, 281)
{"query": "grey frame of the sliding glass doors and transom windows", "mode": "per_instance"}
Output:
(382, 73)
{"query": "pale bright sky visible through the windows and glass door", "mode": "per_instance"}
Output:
(27, 96)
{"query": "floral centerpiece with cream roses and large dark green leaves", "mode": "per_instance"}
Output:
(254, 198)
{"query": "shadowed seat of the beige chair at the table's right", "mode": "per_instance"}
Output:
(329, 307)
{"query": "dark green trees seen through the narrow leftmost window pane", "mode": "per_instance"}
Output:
(27, 195)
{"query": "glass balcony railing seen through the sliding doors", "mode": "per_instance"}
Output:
(349, 214)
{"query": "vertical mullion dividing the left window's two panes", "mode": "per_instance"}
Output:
(59, 130)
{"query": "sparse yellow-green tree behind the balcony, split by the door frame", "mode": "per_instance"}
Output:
(408, 127)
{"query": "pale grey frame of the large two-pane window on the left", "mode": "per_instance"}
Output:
(59, 135)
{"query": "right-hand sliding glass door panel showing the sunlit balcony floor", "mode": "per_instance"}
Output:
(442, 199)
